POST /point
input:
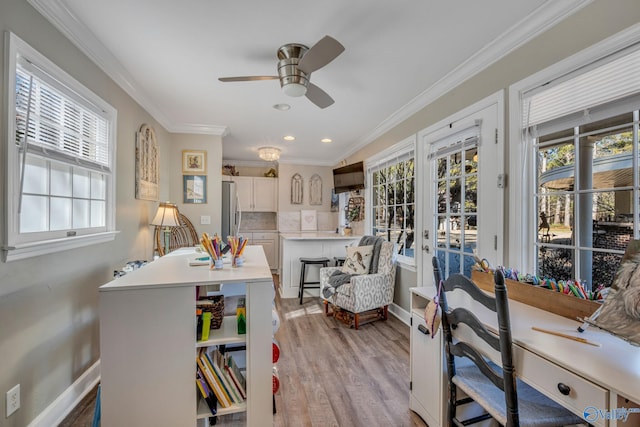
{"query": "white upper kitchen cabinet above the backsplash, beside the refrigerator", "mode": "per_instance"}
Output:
(257, 194)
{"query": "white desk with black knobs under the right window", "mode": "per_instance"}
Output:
(601, 378)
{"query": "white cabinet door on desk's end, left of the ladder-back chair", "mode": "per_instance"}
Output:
(426, 372)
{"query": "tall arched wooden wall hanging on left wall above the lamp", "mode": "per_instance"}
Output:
(147, 165)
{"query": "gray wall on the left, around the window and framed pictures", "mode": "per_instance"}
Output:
(49, 331)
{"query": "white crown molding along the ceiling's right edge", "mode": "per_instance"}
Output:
(544, 17)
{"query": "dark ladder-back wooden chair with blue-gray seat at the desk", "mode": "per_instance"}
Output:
(480, 363)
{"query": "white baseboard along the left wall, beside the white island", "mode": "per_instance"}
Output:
(56, 412)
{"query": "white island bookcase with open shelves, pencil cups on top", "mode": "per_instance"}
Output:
(148, 341)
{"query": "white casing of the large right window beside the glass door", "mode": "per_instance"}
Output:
(522, 154)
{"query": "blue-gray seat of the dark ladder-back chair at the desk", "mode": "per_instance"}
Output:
(534, 409)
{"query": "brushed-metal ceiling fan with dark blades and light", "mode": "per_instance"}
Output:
(295, 65)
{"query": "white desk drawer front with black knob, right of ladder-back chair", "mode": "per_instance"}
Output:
(546, 376)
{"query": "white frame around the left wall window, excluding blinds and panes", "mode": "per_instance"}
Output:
(16, 247)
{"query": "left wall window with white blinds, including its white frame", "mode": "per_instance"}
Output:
(60, 158)
